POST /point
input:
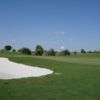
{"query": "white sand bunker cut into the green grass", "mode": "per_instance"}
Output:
(11, 70)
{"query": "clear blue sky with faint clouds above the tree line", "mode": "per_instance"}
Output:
(58, 24)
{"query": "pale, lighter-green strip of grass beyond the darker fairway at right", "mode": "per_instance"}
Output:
(80, 59)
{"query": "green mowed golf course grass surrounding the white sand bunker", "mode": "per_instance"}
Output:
(75, 78)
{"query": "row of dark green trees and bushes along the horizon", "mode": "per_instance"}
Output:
(39, 51)
